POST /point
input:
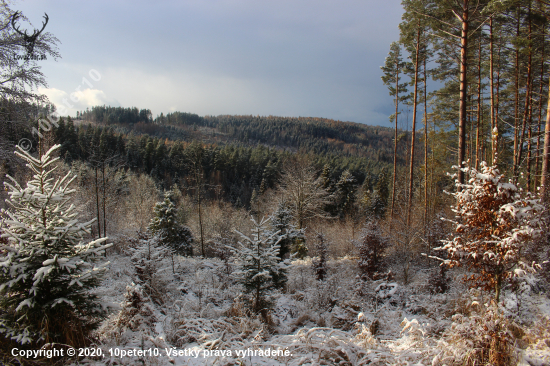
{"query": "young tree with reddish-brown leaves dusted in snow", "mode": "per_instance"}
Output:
(494, 224)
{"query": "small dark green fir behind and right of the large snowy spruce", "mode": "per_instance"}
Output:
(165, 225)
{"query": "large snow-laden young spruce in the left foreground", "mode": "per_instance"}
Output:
(47, 269)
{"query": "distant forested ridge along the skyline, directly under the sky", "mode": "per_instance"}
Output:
(317, 135)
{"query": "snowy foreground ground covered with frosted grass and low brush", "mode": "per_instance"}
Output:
(194, 317)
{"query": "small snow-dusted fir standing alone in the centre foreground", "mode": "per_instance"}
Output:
(257, 261)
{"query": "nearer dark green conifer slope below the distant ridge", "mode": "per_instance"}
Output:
(230, 168)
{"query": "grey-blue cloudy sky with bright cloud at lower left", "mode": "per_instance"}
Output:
(286, 57)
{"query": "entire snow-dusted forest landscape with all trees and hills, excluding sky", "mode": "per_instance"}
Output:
(187, 240)
